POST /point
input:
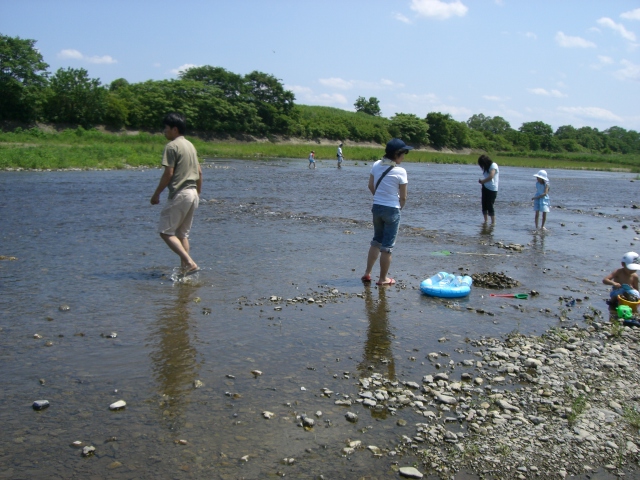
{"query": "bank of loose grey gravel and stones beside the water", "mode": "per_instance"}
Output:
(561, 404)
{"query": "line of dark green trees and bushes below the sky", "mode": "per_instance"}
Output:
(219, 102)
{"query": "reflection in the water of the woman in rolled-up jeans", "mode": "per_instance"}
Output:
(378, 354)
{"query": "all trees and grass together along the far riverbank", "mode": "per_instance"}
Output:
(257, 109)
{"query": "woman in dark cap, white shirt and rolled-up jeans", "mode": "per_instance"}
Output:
(388, 185)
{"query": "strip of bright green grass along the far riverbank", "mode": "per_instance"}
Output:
(34, 149)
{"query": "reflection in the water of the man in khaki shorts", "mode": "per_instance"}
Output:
(174, 360)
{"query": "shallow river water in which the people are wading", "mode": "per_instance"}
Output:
(87, 240)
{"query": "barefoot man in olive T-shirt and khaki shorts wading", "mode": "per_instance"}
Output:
(183, 176)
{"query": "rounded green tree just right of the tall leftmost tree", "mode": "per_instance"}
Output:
(75, 98)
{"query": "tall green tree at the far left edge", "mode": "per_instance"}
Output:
(23, 78)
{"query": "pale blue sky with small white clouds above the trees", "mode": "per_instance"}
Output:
(562, 62)
